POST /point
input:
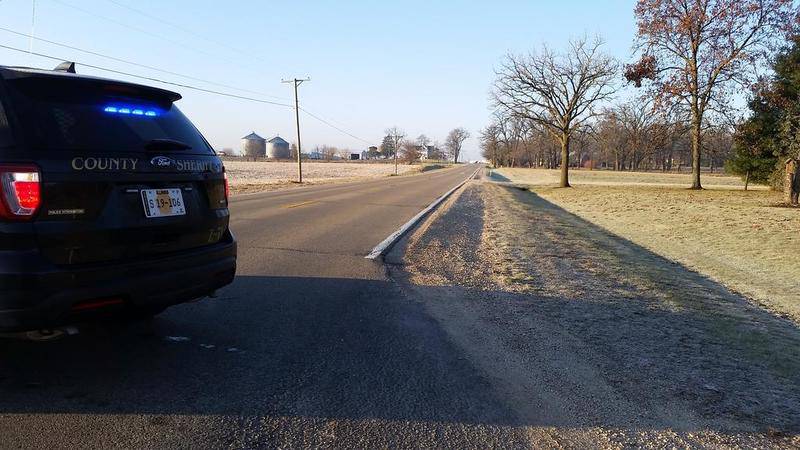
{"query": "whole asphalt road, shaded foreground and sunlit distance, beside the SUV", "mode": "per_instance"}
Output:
(311, 346)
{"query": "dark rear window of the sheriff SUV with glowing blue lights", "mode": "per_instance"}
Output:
(70, 117)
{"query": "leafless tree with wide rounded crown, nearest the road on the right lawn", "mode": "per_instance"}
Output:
(557, 90)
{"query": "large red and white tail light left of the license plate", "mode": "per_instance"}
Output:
(20, 192)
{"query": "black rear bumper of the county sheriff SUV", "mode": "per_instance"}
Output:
(36, 295)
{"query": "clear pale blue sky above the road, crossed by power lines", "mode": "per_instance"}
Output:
(423, 66)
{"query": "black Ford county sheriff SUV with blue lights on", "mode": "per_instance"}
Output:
(111, 201)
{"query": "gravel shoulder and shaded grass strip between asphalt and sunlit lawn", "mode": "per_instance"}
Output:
(594, 340)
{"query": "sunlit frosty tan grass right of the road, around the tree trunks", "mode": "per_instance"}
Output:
(740, 239)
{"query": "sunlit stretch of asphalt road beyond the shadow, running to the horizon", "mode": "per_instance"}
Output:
(326, 230)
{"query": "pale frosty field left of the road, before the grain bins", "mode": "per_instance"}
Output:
(249, 176)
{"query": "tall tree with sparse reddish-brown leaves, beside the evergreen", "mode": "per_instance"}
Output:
(697, 51)
